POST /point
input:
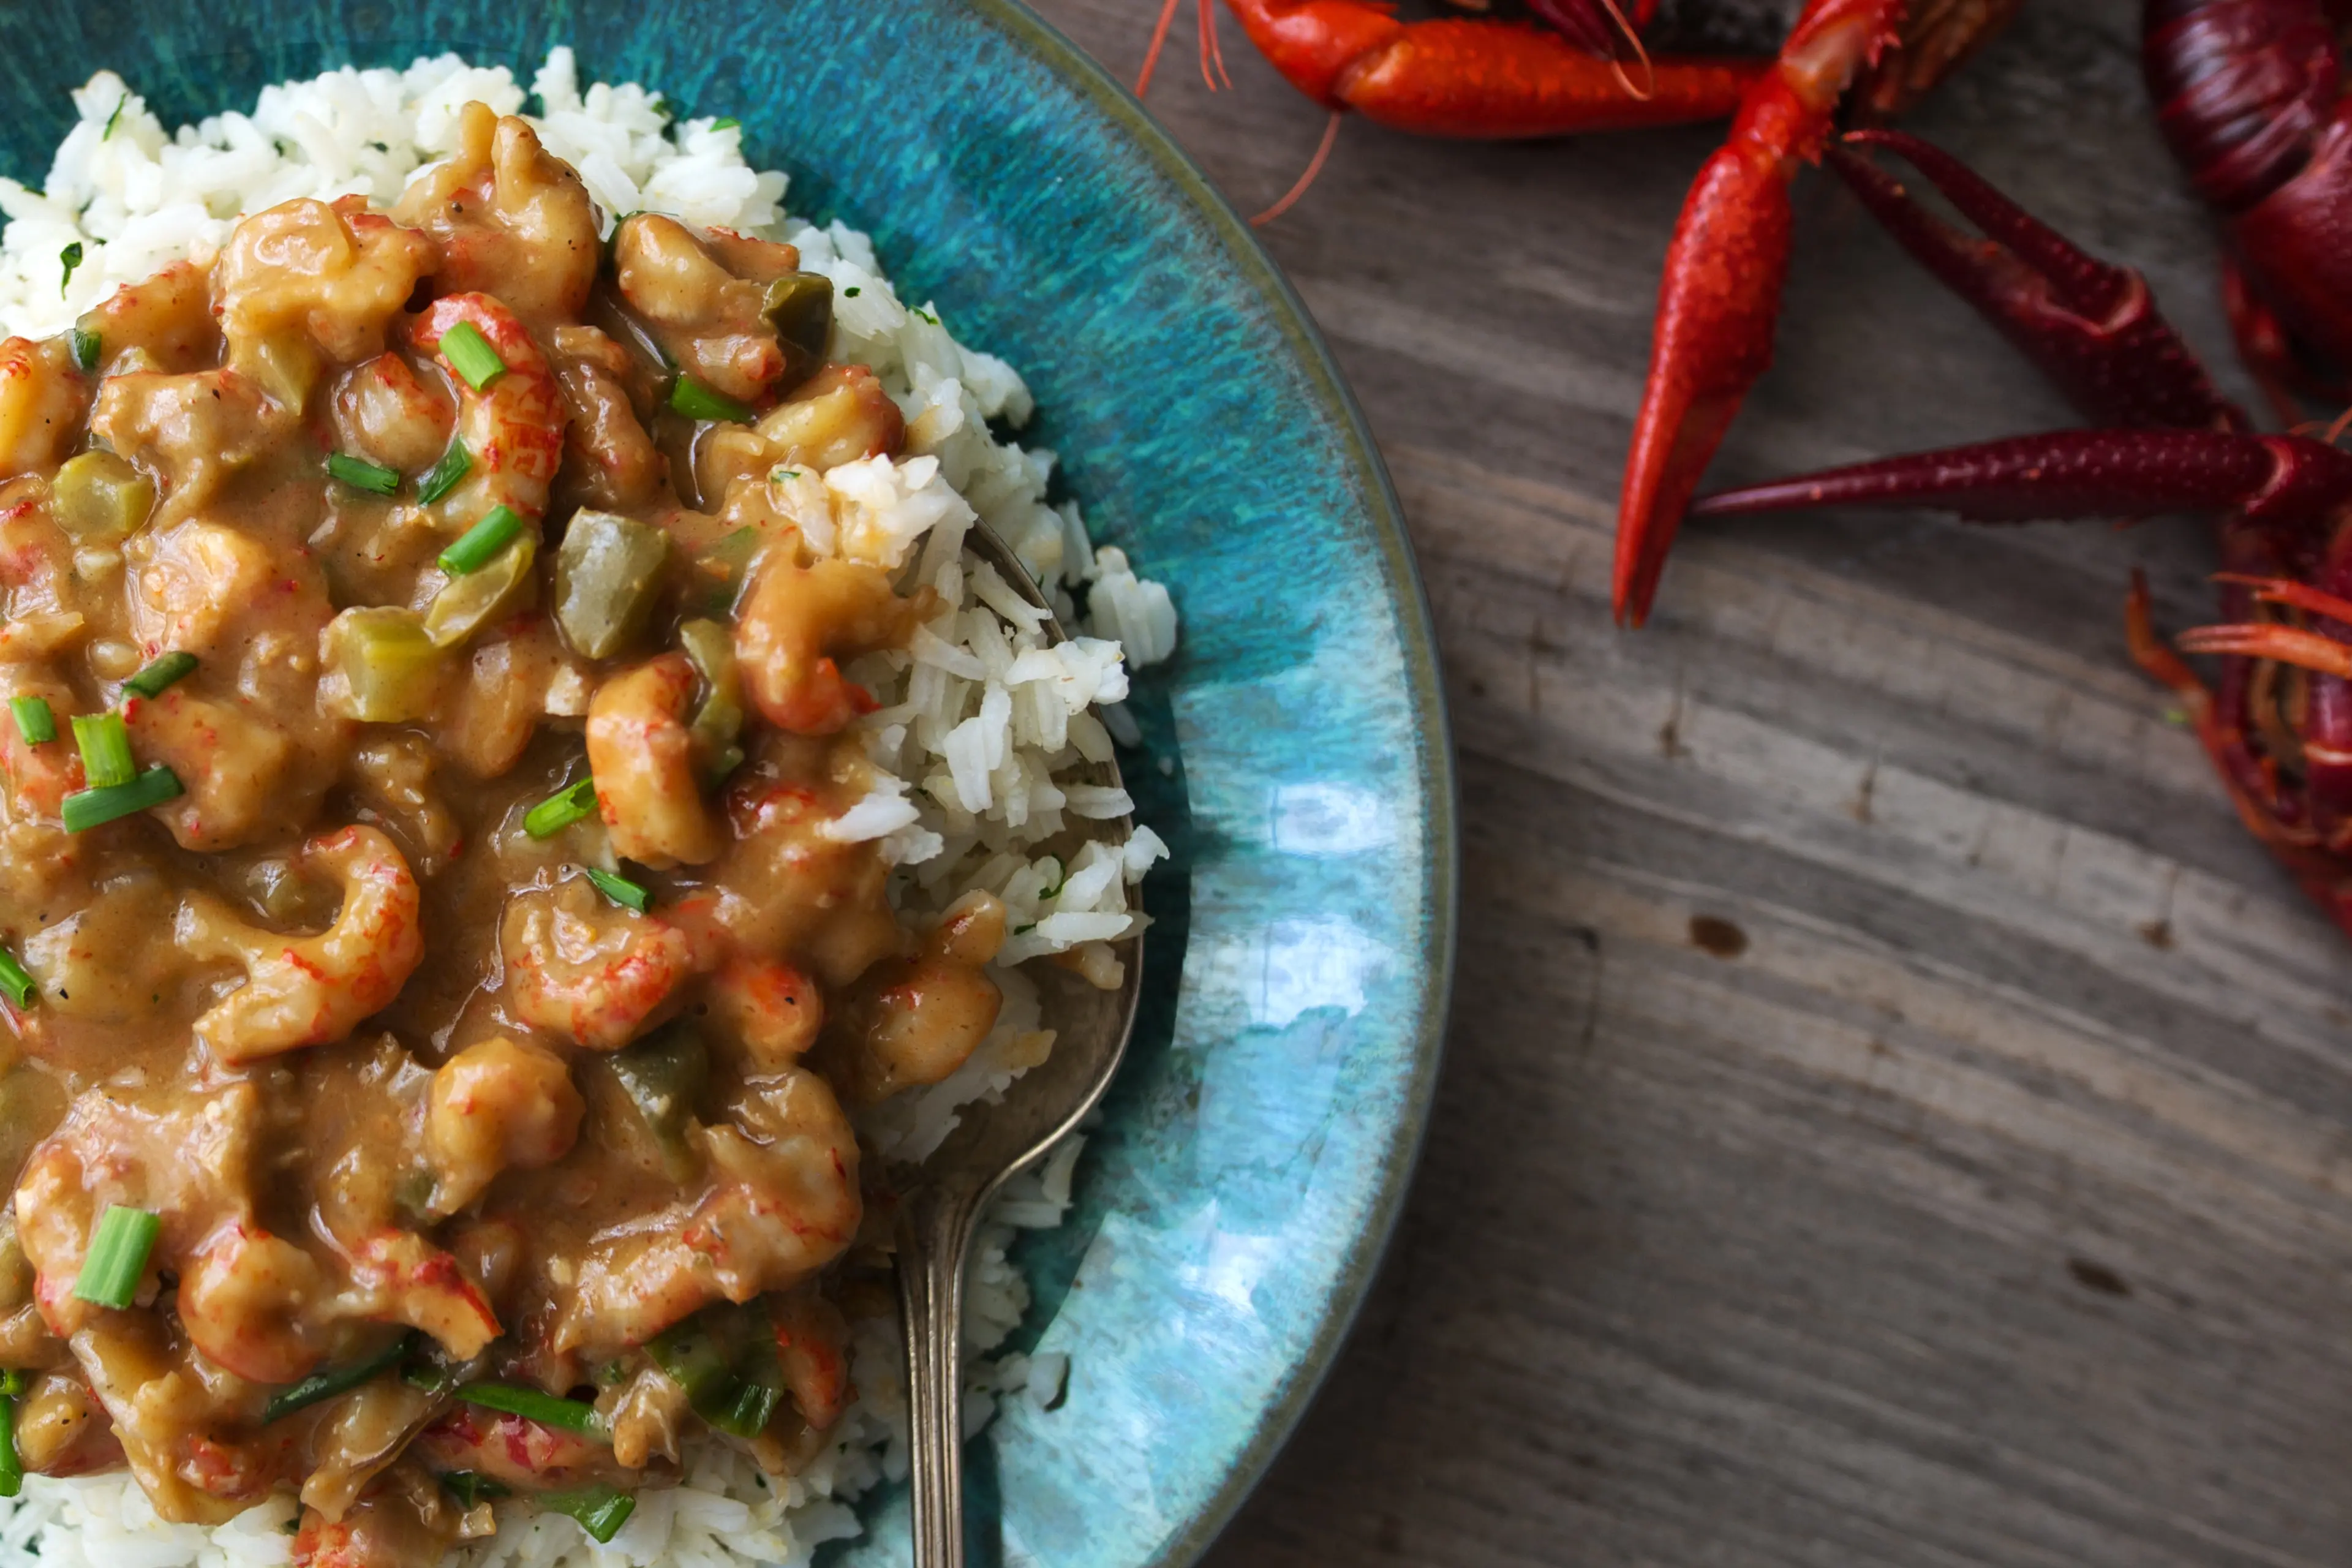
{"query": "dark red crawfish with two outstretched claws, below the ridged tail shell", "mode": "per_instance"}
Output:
(2278, 723)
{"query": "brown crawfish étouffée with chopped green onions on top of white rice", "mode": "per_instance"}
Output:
(415, 876)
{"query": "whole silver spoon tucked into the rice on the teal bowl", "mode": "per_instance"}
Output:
(942, 1200)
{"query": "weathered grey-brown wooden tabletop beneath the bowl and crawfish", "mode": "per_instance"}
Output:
(1895, 1113)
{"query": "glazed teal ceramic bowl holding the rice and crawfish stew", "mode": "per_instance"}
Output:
(1255, 1151)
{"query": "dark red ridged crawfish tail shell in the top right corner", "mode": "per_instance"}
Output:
(2243, 91)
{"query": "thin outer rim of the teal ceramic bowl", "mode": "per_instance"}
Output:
(1426, 690)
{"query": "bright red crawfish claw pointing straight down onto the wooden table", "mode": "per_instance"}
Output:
(1723, 281)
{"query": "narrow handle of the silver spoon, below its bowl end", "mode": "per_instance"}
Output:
(935, 1228)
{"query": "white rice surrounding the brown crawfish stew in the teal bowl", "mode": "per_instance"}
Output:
(980, 737)
